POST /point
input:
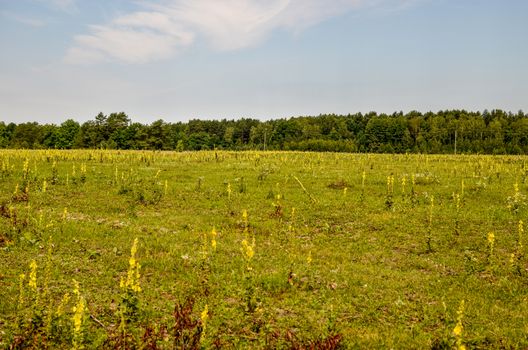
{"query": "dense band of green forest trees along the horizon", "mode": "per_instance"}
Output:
(453, 131)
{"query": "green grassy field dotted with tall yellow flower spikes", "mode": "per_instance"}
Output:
(262, 250)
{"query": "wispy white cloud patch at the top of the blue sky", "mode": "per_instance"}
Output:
(162, 29)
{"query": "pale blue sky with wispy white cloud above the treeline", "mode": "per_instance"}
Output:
(178, 60)
